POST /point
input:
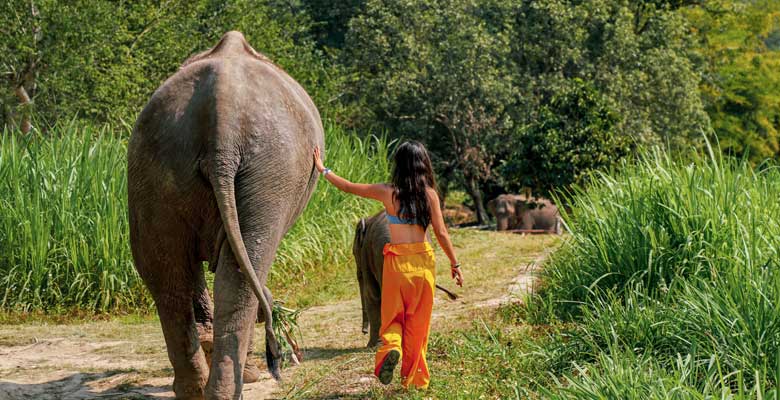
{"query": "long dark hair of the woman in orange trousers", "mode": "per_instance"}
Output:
(412, 176)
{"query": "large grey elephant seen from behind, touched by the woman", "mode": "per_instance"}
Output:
(219, 168)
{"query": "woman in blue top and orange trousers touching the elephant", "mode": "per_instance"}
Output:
(412, 204)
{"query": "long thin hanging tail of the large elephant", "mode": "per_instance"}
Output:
(224, 190)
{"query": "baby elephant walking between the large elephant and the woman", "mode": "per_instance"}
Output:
(371, 235)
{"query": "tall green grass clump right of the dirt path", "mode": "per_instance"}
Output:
(670, 259)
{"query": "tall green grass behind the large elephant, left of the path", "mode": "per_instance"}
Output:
(63, 219)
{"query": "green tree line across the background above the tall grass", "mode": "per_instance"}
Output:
(506, 95)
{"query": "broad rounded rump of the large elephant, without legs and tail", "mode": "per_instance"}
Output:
(237, 117)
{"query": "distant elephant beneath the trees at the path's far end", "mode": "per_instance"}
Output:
(513, 211)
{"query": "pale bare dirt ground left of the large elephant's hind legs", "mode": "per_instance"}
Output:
(86, 361)
